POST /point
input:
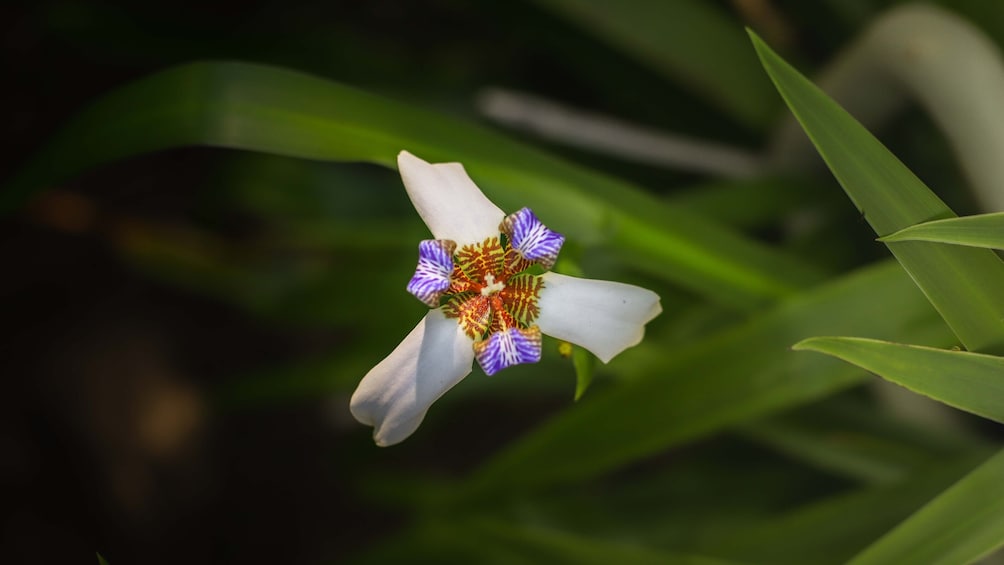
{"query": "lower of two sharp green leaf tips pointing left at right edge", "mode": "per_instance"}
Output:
(970, 382)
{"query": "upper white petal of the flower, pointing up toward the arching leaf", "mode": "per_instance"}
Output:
(448, 201)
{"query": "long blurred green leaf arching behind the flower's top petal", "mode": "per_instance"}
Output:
(284, 113)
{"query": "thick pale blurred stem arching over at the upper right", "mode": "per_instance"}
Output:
(946, 65)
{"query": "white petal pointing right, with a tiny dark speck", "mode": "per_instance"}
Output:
(603, 317)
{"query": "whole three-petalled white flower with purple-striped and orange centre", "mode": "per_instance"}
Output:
(484, 306)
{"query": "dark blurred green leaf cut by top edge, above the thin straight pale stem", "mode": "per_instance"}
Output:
(673, 39)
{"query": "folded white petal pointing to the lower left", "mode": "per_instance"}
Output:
(395, 396)
